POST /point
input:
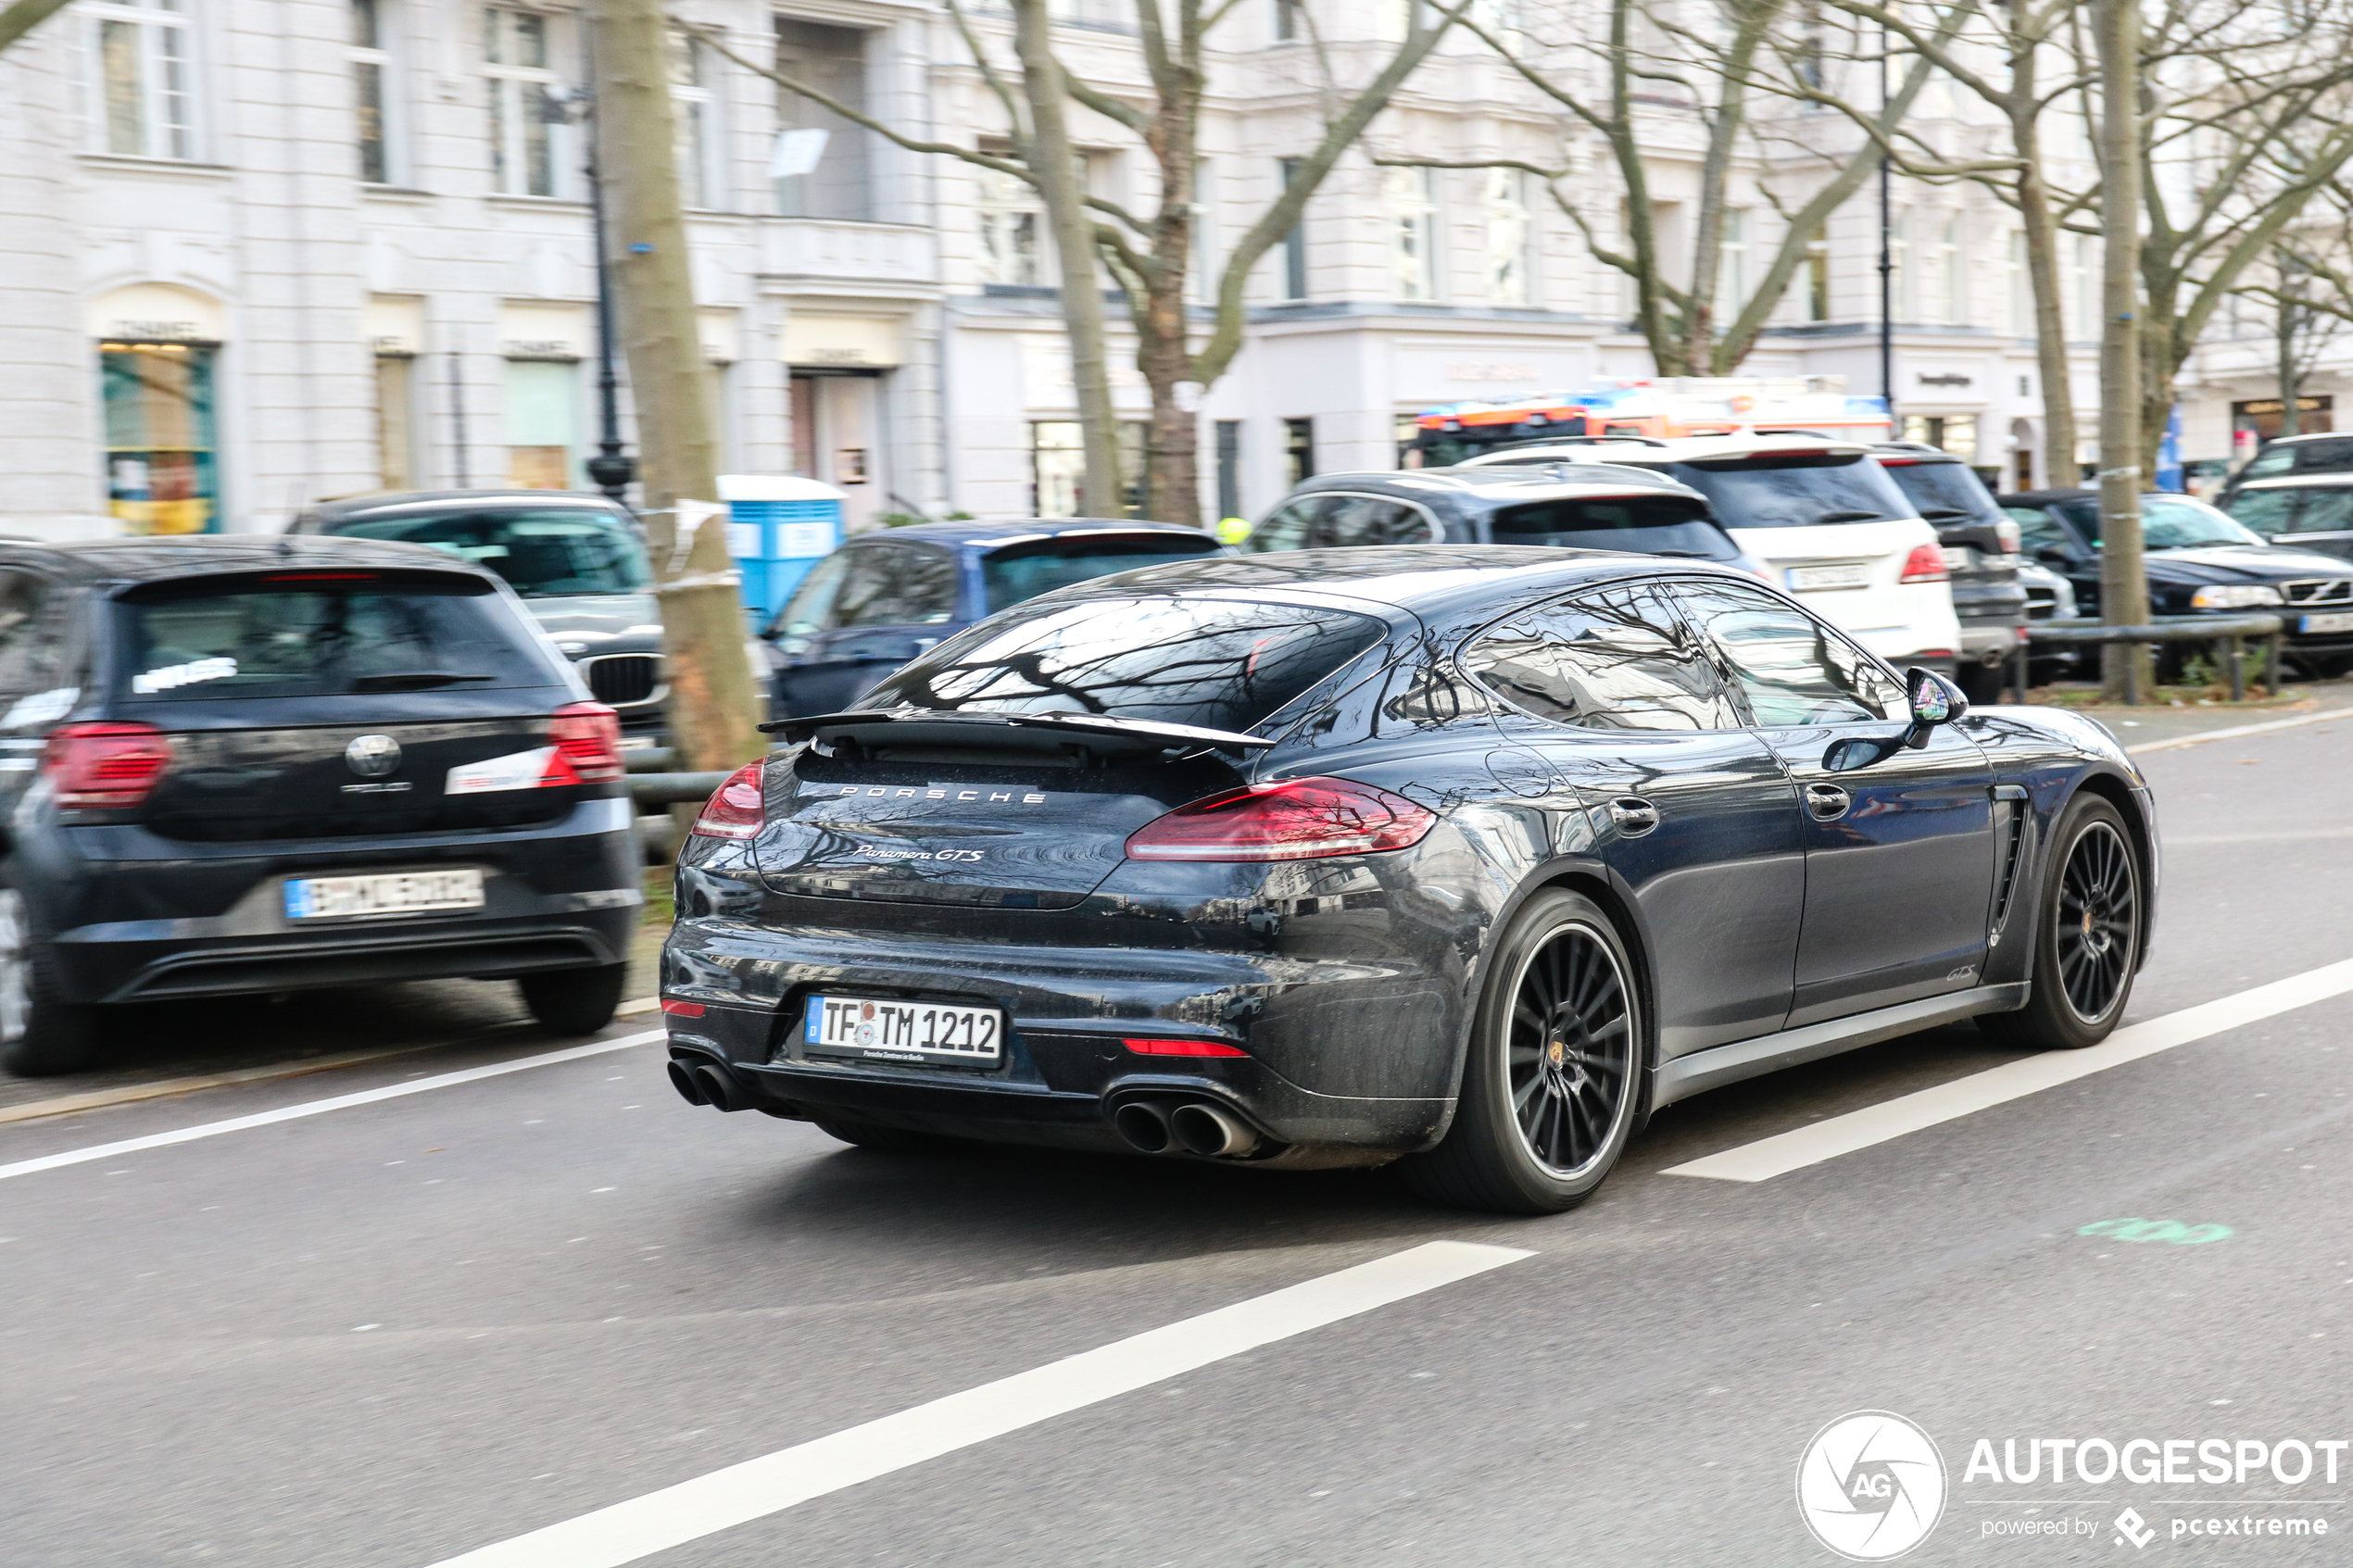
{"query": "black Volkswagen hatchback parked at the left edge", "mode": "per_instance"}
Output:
(255, 765)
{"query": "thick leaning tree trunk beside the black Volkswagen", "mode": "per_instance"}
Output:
(714, 704)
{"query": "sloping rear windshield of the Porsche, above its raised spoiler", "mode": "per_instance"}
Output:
(1215, 664)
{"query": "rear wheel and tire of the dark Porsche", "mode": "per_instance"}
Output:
(1554, 1073)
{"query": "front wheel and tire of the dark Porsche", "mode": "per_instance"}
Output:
(2091, 925)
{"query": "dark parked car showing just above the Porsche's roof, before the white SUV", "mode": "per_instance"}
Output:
(1549, 504)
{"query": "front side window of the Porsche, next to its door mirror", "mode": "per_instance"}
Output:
(1789, 666)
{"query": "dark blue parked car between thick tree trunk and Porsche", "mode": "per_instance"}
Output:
(893, 594)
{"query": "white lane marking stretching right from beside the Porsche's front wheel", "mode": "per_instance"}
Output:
(1860, 1130)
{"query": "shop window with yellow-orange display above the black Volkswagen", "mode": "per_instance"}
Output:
(161, 471)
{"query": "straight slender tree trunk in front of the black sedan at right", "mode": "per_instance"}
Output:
(2124, 582)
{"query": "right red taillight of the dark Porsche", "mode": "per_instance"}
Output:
(1300, 819)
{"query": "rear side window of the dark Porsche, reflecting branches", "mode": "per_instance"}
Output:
(1611, 659)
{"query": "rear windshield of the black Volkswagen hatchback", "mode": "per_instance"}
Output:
(316, 634)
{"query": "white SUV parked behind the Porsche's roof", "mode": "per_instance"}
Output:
(1820, 514)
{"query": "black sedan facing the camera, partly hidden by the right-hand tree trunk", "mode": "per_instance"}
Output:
(2201, 563)
